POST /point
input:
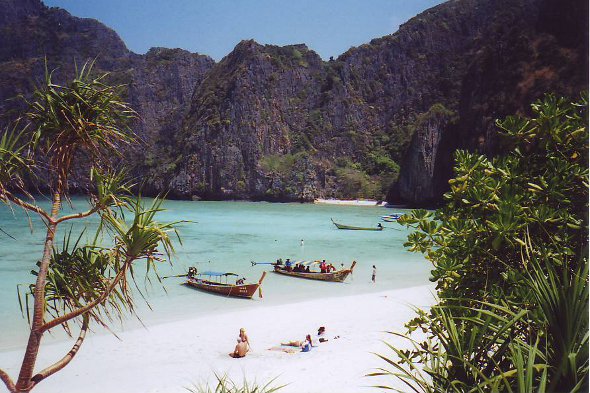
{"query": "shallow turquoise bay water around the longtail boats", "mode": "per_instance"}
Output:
(226, 236)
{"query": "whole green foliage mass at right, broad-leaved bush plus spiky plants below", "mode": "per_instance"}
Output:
(510, 257)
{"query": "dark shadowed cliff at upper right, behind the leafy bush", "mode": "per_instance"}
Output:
(521, 52)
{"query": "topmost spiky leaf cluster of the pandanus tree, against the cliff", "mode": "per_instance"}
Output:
(86, 116)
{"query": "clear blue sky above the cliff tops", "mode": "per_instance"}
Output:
(214, 27)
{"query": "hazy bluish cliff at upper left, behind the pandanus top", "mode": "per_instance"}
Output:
(159, 84)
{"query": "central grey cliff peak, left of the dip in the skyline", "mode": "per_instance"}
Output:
(253, 104)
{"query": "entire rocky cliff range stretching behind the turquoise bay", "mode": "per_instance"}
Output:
(279, 123)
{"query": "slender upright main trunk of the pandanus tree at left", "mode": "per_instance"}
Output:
(24, 382)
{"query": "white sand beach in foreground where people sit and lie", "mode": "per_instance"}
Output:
(170, 357)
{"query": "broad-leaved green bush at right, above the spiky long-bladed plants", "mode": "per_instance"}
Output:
(539, 189)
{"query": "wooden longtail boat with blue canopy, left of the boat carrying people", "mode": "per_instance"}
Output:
(244, 290)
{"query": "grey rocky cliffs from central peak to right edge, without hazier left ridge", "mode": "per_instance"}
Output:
(279, 123)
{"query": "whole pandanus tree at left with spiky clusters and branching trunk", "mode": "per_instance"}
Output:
(77, 284)
